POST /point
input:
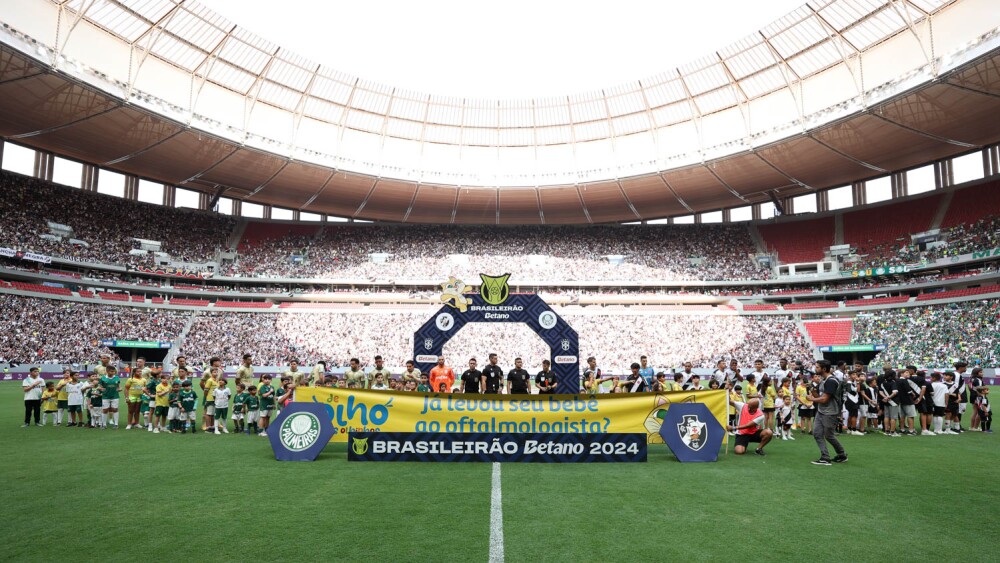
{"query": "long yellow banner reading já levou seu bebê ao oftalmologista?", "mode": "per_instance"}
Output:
(355, 410)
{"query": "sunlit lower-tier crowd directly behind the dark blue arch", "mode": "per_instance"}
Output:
(614, 338)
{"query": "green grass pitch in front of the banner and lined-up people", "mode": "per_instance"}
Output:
(83, 495)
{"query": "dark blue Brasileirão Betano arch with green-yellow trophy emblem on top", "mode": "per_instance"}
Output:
(494, 303)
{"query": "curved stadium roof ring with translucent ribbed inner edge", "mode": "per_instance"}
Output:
(836, 91)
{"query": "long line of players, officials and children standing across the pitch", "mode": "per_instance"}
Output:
(866, 398)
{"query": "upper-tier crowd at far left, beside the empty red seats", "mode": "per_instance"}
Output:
(105, 224)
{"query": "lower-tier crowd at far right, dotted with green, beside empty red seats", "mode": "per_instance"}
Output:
(935, 336)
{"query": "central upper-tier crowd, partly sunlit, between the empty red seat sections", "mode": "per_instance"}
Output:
(570, 253)
